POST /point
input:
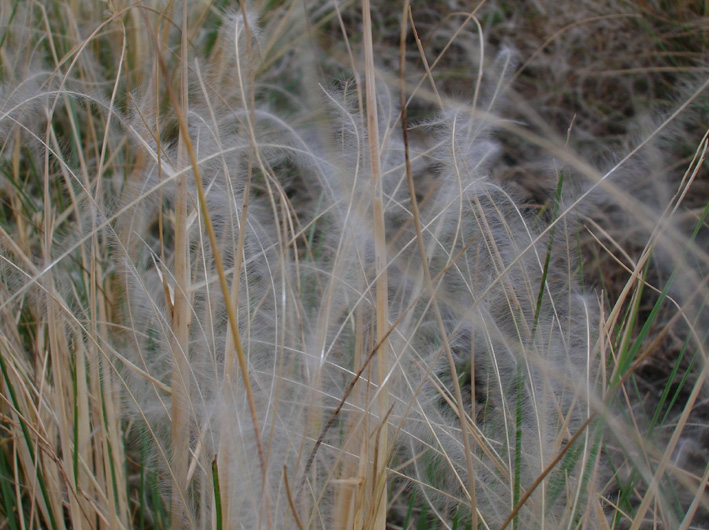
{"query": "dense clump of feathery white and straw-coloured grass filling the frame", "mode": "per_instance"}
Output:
(241, 294)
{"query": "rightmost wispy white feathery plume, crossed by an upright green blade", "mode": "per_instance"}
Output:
(523, 339)
